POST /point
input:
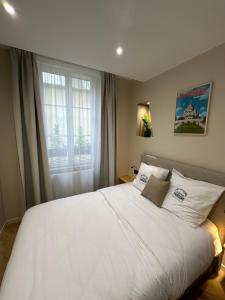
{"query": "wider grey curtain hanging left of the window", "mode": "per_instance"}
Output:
(29, 126)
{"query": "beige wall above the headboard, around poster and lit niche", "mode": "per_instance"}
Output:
(207, 151)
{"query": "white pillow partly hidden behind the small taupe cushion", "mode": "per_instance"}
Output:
(145, 171)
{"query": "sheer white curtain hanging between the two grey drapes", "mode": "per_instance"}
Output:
(71, 104)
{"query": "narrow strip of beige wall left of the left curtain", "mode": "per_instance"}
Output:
(9, 168)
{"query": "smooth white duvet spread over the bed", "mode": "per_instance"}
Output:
(112, 244)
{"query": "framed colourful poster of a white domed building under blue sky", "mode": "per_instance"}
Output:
(192, 107)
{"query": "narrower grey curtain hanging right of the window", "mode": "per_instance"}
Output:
(108, 131)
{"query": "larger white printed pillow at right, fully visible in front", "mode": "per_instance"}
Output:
(190, 199)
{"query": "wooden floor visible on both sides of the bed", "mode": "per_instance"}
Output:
(212, 289)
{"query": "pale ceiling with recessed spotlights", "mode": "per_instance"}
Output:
(156, 35)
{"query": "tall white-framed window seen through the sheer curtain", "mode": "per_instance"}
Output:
(71, 107)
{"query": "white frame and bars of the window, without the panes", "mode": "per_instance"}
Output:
(70, 73)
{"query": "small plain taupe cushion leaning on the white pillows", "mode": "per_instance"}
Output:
(156, 190)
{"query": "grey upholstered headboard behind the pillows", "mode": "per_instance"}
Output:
(217, 215)
